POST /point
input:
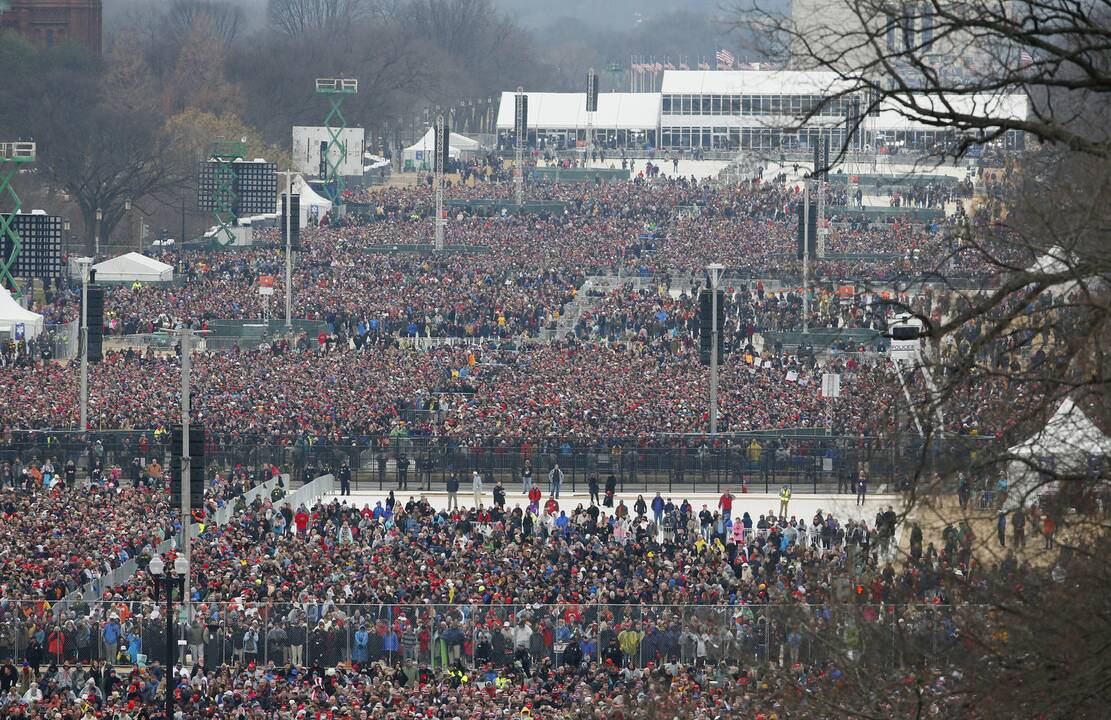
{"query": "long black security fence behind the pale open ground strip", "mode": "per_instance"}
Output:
(806, 459)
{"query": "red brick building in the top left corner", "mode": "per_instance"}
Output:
(49, 23)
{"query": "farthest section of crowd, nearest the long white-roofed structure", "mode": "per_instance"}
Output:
(517, 272)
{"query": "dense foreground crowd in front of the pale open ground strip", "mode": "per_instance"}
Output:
(498, 608)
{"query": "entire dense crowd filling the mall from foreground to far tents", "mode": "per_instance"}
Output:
(518, 608)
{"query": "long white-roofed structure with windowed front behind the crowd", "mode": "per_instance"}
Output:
(759, 111)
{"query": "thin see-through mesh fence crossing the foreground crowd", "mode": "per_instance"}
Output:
(882, 636)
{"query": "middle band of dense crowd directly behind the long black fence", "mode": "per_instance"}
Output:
(567, 392)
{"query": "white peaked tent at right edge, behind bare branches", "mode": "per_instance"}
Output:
(1068, 443)
